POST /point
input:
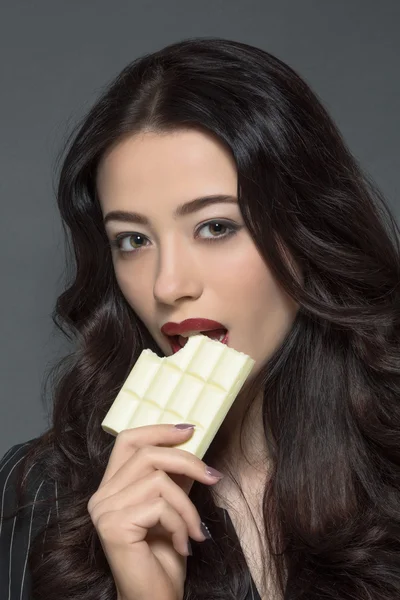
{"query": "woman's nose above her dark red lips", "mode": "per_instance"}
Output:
(177, 276)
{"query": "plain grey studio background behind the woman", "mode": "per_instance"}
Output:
(55, 59)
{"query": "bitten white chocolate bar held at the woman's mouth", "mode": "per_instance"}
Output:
(198, 385)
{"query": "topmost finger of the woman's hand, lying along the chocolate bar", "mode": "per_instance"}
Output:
(128, 441)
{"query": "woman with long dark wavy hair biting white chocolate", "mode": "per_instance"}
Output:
(294, 252)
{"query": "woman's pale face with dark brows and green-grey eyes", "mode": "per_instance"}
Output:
(199, 264)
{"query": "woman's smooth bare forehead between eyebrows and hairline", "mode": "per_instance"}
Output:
(184, 162)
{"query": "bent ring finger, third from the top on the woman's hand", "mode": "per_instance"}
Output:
(157, 484)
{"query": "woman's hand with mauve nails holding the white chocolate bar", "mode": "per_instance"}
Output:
(143, 516)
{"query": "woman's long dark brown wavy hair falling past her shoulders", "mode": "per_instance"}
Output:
(331, 409)
